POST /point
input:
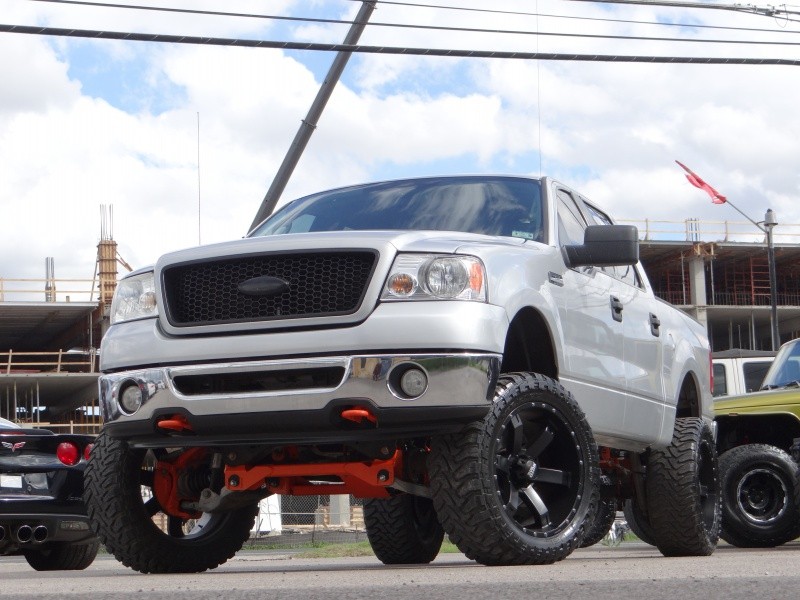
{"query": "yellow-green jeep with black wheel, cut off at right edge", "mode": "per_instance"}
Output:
(759, 446)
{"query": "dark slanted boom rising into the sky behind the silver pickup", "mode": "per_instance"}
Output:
(308, 124)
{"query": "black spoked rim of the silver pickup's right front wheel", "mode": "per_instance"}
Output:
(538, 464)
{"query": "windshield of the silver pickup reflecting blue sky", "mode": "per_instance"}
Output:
(509, 206)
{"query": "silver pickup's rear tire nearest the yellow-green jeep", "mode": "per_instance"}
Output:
(683, 498)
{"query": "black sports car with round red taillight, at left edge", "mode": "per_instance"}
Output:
(42, 515)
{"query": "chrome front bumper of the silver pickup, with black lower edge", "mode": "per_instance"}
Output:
(274, 395)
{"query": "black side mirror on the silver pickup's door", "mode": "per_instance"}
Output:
(605, 246)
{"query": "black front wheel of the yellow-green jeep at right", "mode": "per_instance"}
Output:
(761, 496)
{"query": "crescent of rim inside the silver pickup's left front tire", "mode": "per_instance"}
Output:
(171, 525)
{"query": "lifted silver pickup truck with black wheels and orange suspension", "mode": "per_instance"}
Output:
(479, 356)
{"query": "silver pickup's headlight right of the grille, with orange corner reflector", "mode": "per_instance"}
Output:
(436, 277)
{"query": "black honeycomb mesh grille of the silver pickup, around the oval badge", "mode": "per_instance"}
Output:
(320, 284)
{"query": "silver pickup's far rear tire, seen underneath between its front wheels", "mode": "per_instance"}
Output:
(403, 529)
